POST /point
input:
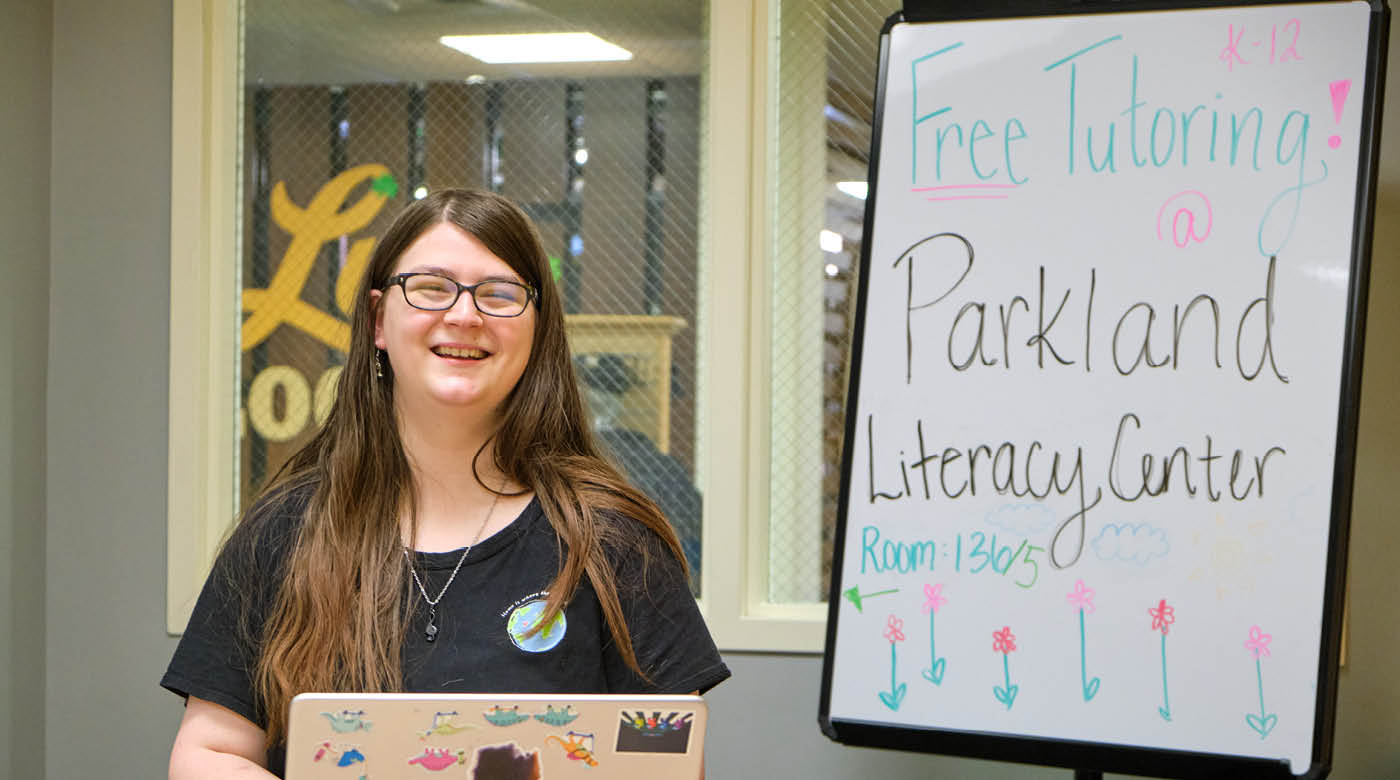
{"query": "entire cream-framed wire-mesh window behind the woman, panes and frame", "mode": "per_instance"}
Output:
(703, 313)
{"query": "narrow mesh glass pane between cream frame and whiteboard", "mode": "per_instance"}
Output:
(820, 134)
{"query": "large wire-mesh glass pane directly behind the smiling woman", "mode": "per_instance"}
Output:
(355, 107)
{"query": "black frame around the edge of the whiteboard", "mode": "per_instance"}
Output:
(1098, 755)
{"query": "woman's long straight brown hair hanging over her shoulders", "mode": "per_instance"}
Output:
(341, 613)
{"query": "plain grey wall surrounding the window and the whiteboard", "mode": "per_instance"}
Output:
(83, 452)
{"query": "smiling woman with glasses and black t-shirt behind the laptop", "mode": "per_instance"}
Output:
(415, 543)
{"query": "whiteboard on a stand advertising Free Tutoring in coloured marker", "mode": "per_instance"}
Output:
(1104, 386)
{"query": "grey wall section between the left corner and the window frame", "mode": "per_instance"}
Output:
(108, 316)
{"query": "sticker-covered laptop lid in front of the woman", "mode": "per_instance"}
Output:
(495, 737)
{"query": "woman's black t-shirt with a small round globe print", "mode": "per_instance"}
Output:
(498, 596)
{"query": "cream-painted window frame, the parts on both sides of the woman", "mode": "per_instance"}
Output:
(733, 452)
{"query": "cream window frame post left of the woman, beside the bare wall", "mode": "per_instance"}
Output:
(204, 407)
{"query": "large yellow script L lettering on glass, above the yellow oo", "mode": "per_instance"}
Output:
(323, 221)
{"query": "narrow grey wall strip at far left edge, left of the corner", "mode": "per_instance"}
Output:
(24, 244)
